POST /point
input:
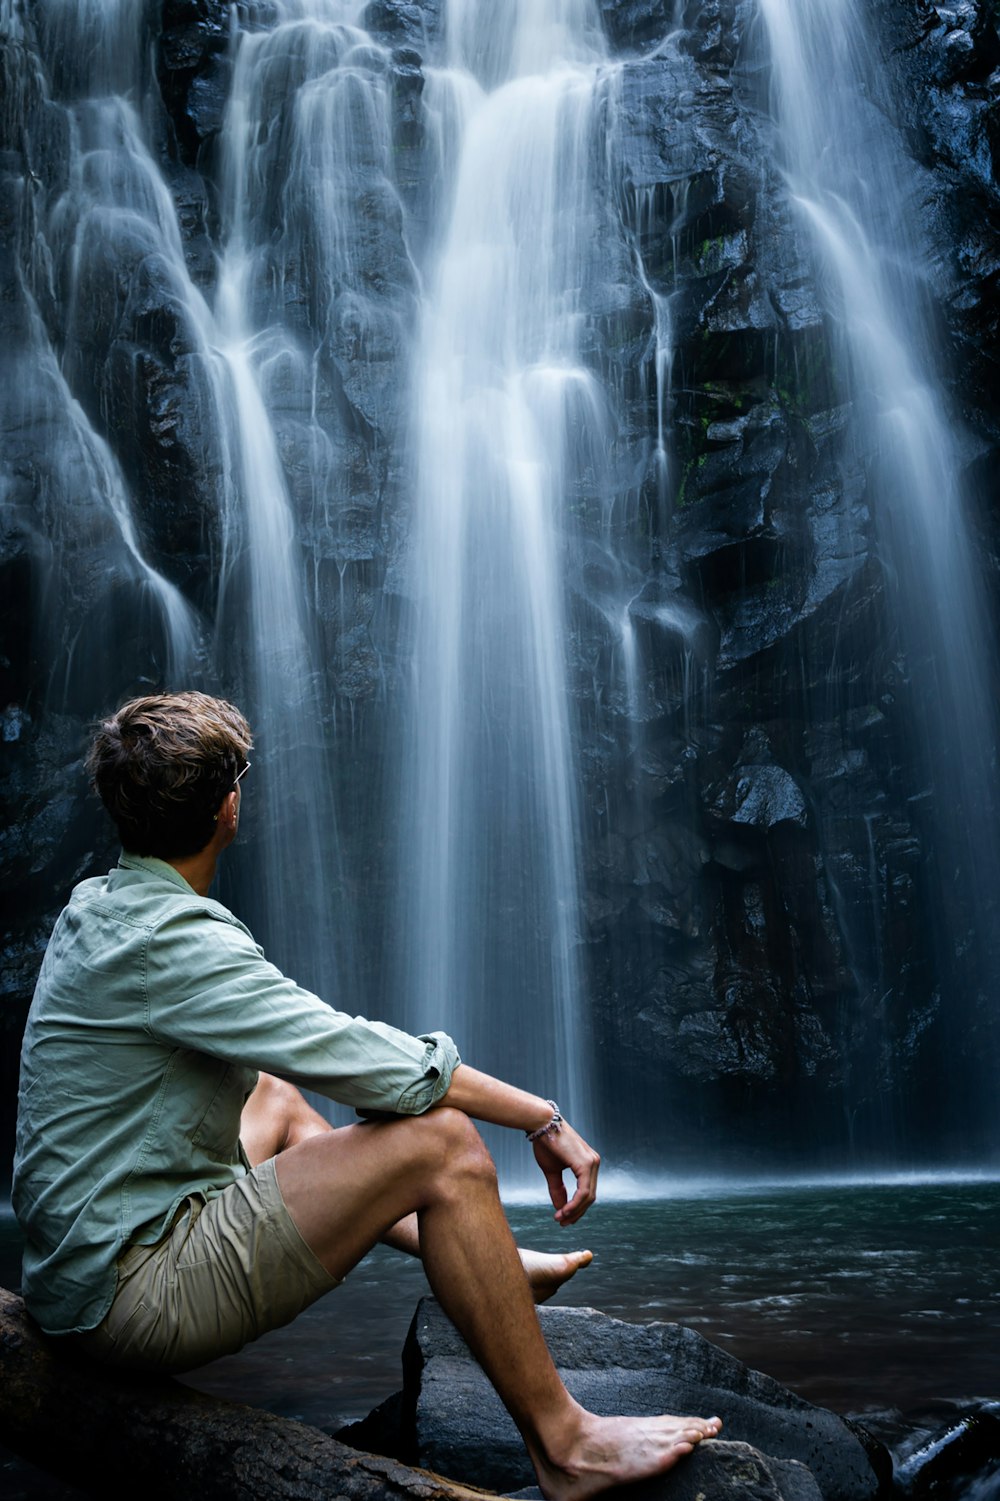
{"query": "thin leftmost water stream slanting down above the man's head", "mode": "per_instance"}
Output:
(109, 197)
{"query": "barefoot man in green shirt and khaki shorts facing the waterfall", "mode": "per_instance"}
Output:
(176, 1203)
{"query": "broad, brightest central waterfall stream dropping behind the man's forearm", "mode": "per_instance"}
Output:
(492, 892)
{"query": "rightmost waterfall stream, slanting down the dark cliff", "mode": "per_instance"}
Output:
(848, 182)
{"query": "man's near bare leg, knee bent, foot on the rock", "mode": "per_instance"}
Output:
(348, 1188)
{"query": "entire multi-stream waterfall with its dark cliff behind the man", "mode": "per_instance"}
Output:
(457, 390)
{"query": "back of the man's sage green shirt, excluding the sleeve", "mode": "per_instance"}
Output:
(112, 1133)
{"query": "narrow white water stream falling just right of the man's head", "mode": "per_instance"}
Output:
(295, 892)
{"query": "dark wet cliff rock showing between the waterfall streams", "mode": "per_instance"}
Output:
(755, 853)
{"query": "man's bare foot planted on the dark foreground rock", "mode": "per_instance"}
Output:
(616, 1451)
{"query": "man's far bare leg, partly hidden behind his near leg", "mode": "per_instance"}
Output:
(279, 1117)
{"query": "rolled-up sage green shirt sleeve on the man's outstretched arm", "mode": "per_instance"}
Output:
(209, 988)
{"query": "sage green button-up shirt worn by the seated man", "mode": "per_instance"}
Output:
(152, 1014)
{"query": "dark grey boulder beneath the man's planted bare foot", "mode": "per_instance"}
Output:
(450, 1418)
